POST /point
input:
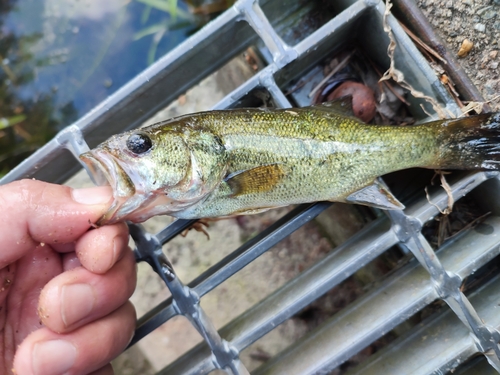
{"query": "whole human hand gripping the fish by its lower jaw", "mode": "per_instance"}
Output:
(64, 289)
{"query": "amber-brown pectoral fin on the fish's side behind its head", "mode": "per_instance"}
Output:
(255, 180)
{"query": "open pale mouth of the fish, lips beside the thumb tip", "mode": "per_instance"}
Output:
(105, 170)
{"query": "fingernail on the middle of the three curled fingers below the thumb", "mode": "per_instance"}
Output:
(77, 301)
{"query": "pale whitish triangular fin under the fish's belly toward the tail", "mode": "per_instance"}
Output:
(376, 195)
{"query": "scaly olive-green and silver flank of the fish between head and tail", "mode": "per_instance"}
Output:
(343, 156)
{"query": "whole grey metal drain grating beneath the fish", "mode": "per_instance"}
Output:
(433, 275)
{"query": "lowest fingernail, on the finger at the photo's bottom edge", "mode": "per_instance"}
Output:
(53, 357)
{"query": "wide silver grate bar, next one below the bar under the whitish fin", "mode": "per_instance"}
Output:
(375, 314)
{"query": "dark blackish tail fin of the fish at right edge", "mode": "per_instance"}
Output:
(471, 143)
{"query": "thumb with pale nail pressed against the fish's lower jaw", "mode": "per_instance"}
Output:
(34, 212)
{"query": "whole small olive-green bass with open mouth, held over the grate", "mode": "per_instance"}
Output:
(244, 161)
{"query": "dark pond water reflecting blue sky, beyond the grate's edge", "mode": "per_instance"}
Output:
(60, 58)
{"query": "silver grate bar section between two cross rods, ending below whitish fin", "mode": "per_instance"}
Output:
(299, 292)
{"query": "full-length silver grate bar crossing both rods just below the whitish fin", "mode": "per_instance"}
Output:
(337, 266)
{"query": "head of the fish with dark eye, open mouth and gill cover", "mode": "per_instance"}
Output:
(152, 171)
